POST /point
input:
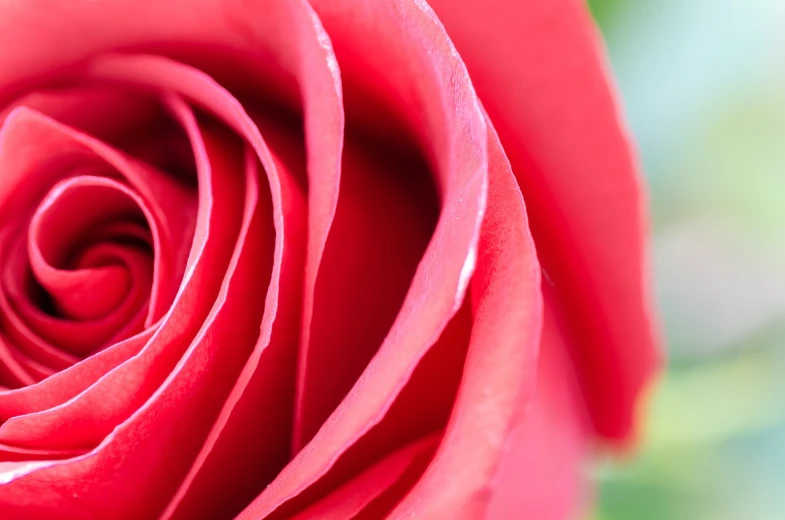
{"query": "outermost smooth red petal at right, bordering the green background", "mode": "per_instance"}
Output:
(538, 71)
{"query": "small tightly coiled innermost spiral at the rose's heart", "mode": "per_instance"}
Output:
(90, 251)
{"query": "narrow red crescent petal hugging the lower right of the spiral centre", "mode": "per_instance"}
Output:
(122, 391)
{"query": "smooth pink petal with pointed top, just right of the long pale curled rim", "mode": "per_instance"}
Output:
(501, 363)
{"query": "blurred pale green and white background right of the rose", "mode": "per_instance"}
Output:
(703, 86)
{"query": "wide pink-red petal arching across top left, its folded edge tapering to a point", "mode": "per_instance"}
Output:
(272, 40)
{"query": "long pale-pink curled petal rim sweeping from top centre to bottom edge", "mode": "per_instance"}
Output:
(433, 80)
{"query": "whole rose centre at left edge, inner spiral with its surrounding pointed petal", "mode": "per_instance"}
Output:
(88, 260)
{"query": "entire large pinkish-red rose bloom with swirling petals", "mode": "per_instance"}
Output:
(270, 259)
